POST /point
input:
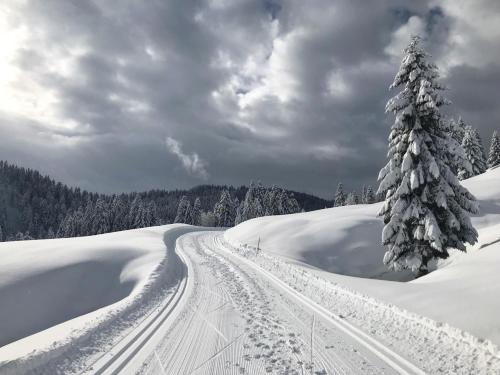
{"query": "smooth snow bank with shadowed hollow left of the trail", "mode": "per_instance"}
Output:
(55, 290)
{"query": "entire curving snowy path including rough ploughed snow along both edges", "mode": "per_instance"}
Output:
(214, 307)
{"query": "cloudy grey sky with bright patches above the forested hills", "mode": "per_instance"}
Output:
(131, 95)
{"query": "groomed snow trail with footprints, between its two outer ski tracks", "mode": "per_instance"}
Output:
(231, 316)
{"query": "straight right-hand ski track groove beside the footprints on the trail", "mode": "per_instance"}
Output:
(387, 355)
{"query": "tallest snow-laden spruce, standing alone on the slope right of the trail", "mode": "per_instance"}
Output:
(426, 210)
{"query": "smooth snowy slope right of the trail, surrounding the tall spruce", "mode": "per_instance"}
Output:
(462, 292)
